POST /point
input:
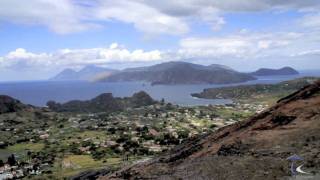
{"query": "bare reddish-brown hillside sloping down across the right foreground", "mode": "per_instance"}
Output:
(256, 148)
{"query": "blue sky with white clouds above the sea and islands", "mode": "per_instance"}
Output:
(39, 38)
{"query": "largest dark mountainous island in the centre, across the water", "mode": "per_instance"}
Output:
(181, 73)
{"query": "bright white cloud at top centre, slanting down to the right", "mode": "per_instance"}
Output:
(143, 17)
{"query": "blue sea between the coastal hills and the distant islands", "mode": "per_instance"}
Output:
(39, 92)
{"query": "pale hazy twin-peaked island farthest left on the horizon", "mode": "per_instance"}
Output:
(89, 72)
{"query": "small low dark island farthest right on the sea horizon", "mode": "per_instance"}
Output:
(275, 72)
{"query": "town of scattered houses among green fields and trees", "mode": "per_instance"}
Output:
(70, 143)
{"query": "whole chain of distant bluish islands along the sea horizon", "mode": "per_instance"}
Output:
(169, 73)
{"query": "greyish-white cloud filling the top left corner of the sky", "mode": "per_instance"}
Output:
(61, 16)
